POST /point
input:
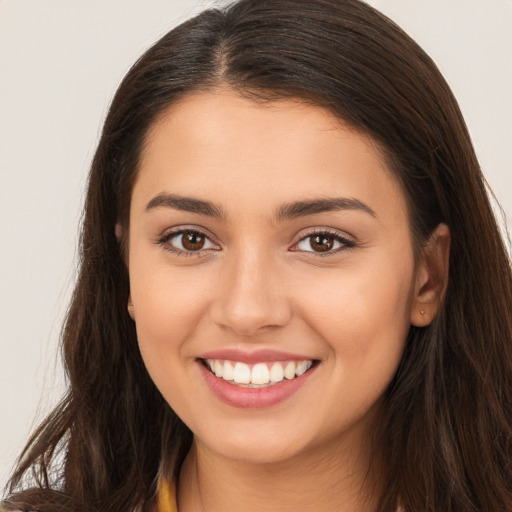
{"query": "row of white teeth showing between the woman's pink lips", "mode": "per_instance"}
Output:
(259, 375)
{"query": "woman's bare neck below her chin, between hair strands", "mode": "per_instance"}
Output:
(327, 479)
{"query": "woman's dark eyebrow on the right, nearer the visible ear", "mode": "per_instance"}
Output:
(297, 209)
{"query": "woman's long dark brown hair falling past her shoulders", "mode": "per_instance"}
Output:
(446, 425)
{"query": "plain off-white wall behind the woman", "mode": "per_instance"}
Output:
(60, 63)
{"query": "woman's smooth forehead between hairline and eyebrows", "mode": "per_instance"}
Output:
(223, 147)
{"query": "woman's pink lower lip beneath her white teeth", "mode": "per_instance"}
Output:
(253, 398)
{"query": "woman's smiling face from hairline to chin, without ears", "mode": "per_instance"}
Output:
(272, 274)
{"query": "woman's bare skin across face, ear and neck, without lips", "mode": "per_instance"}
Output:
(258, 283)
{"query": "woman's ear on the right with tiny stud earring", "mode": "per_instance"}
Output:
(431, 277)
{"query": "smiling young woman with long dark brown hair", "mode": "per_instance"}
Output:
(293, 291)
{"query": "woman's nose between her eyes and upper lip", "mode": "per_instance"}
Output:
(252, 297)
